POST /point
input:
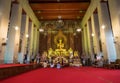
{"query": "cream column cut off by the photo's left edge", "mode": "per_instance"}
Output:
(4, 22)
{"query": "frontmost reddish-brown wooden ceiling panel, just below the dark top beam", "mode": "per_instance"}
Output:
(60, 6)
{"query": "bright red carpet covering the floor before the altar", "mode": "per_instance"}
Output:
(67, 75)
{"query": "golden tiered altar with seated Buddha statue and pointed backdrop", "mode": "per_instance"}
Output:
(60, 53)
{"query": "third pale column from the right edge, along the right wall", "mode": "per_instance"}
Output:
(95, 31)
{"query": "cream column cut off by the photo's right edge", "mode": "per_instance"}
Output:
(114, 6)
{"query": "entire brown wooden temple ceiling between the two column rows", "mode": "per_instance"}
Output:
(59, 9)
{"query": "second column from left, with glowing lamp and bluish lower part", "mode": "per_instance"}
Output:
(12, 47)
